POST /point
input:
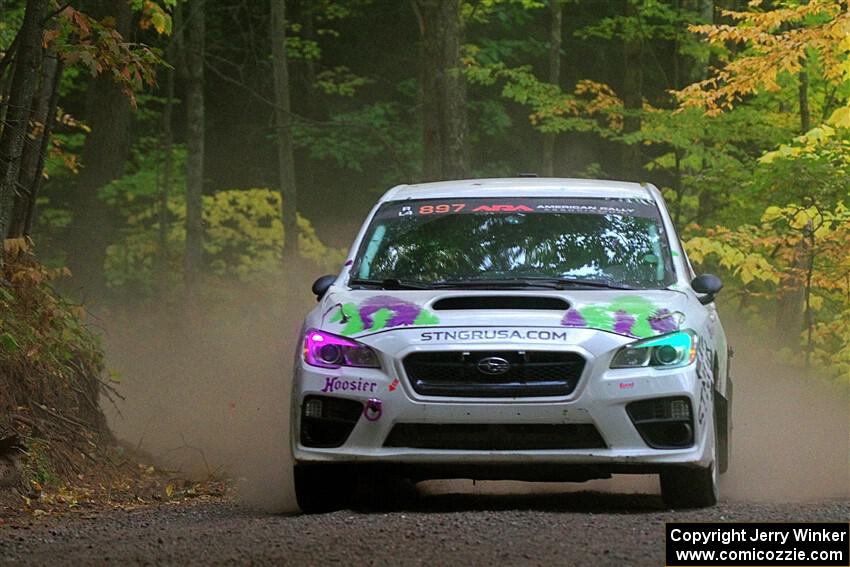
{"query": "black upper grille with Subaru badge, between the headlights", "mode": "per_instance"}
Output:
(527, 373)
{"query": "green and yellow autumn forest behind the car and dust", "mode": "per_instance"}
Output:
(154, 152)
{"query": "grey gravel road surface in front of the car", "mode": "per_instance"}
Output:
(583, 528)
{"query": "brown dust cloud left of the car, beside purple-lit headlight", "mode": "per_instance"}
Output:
(207, 395)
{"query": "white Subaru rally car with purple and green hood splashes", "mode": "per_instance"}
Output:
(530, 329)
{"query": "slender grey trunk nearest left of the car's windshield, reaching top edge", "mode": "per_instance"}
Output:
(285, 159)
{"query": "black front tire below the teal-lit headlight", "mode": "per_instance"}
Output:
(692, 487)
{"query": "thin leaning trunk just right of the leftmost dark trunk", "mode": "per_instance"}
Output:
(32, 162)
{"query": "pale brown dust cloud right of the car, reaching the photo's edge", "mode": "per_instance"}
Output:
(791, 437)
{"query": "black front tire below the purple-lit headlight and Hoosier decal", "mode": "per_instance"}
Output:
(322, 488)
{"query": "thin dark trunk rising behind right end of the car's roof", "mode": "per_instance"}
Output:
(632, 96)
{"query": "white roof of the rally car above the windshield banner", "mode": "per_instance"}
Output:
(520, 186)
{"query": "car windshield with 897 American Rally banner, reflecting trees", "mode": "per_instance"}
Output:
(473, 240)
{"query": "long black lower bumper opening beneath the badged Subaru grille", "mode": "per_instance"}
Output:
(495, 437)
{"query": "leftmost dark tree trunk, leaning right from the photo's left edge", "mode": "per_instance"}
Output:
(14, 134)
